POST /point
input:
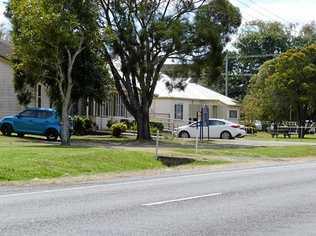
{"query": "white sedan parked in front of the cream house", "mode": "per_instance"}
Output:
(217, 128)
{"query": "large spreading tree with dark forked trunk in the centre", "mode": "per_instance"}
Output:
(141, 35)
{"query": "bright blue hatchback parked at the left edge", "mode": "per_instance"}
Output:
(37, 121)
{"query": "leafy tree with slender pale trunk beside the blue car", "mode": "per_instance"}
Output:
(50, 37)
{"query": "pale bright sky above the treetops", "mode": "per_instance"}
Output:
(286, 11)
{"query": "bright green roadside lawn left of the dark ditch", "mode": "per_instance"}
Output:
(29, 158)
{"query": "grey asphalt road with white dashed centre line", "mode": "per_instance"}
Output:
(279, 200)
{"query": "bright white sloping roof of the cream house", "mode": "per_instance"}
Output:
(192, 91)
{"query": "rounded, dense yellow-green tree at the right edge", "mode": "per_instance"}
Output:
(285, 85)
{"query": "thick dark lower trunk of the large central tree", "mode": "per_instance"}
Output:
(143, 126)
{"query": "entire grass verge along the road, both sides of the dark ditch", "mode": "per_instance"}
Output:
(30, 158)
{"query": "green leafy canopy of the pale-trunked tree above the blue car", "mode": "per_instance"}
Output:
(43, 33)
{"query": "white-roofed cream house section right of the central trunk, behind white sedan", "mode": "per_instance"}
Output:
(183, 105)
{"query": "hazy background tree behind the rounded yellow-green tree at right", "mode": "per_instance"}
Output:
(261, 40)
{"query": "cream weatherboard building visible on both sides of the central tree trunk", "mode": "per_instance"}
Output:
(173, 108)
